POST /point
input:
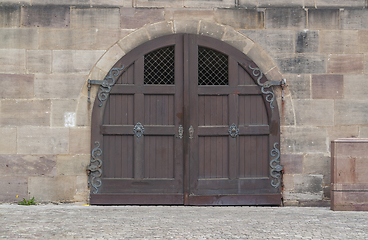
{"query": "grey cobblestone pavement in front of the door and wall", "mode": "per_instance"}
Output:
(178, 222)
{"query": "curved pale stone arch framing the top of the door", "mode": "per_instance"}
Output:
(151, 31)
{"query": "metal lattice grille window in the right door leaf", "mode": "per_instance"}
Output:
(212, 67)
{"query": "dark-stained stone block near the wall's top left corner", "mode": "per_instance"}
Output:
(46, 16)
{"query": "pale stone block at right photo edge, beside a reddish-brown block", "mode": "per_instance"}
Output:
(355, 86)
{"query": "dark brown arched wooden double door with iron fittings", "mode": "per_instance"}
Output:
(182, 120)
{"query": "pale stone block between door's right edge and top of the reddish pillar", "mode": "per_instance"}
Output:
(303, 140)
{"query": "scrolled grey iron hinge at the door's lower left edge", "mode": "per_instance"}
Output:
(94, 169)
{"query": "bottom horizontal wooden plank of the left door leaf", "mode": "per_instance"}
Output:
(136, 199)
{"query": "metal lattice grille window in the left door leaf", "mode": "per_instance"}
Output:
(159, 66)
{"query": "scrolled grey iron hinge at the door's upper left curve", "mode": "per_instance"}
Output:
(105, 85)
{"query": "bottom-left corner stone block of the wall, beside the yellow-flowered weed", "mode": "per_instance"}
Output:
(13, 189)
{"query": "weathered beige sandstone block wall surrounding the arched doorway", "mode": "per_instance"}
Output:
(48, 51)
